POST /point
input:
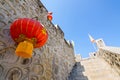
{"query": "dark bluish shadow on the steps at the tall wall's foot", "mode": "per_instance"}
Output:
(77, 72)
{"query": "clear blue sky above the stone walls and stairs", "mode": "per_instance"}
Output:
(77, 18)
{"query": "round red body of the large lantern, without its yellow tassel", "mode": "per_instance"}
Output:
(25, 29)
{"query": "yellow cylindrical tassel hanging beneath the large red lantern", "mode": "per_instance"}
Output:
(24, 49)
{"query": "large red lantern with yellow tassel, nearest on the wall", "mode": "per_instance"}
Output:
(29, 34)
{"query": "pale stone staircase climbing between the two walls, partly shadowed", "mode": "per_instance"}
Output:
(93, 69)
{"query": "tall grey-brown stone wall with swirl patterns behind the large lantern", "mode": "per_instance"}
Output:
(53, 61)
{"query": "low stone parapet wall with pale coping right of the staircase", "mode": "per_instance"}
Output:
(111, 55)
